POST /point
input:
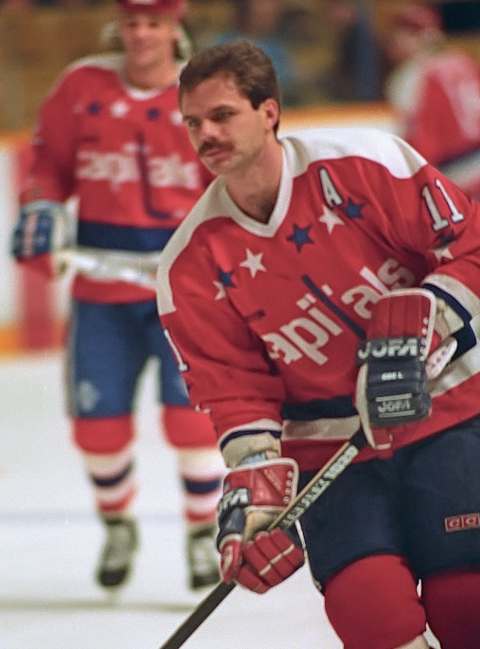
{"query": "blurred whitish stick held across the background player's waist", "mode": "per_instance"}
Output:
(108, 265)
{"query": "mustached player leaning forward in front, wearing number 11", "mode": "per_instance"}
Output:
(329, 280)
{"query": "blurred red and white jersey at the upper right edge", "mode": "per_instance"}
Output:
(437, 98)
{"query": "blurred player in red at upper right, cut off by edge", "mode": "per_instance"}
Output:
(435, 91)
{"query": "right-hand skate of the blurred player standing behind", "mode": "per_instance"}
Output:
(202, 557)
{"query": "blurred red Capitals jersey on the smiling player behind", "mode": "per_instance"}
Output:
(125, 154)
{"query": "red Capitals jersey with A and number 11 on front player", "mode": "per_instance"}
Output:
(266, 319)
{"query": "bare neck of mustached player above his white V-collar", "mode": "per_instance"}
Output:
(255, 189)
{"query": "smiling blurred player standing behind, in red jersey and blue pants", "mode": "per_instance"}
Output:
(111, 133)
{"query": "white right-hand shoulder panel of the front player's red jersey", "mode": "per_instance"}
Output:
(310, 145)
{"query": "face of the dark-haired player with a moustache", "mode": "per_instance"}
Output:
(224, 128)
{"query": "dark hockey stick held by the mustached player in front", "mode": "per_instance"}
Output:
(307, 496)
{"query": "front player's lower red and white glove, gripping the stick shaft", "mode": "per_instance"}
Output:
(253, 497)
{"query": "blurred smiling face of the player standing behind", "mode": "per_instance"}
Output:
(148, 38)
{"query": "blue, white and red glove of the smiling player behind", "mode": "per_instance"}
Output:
(41, 230)
